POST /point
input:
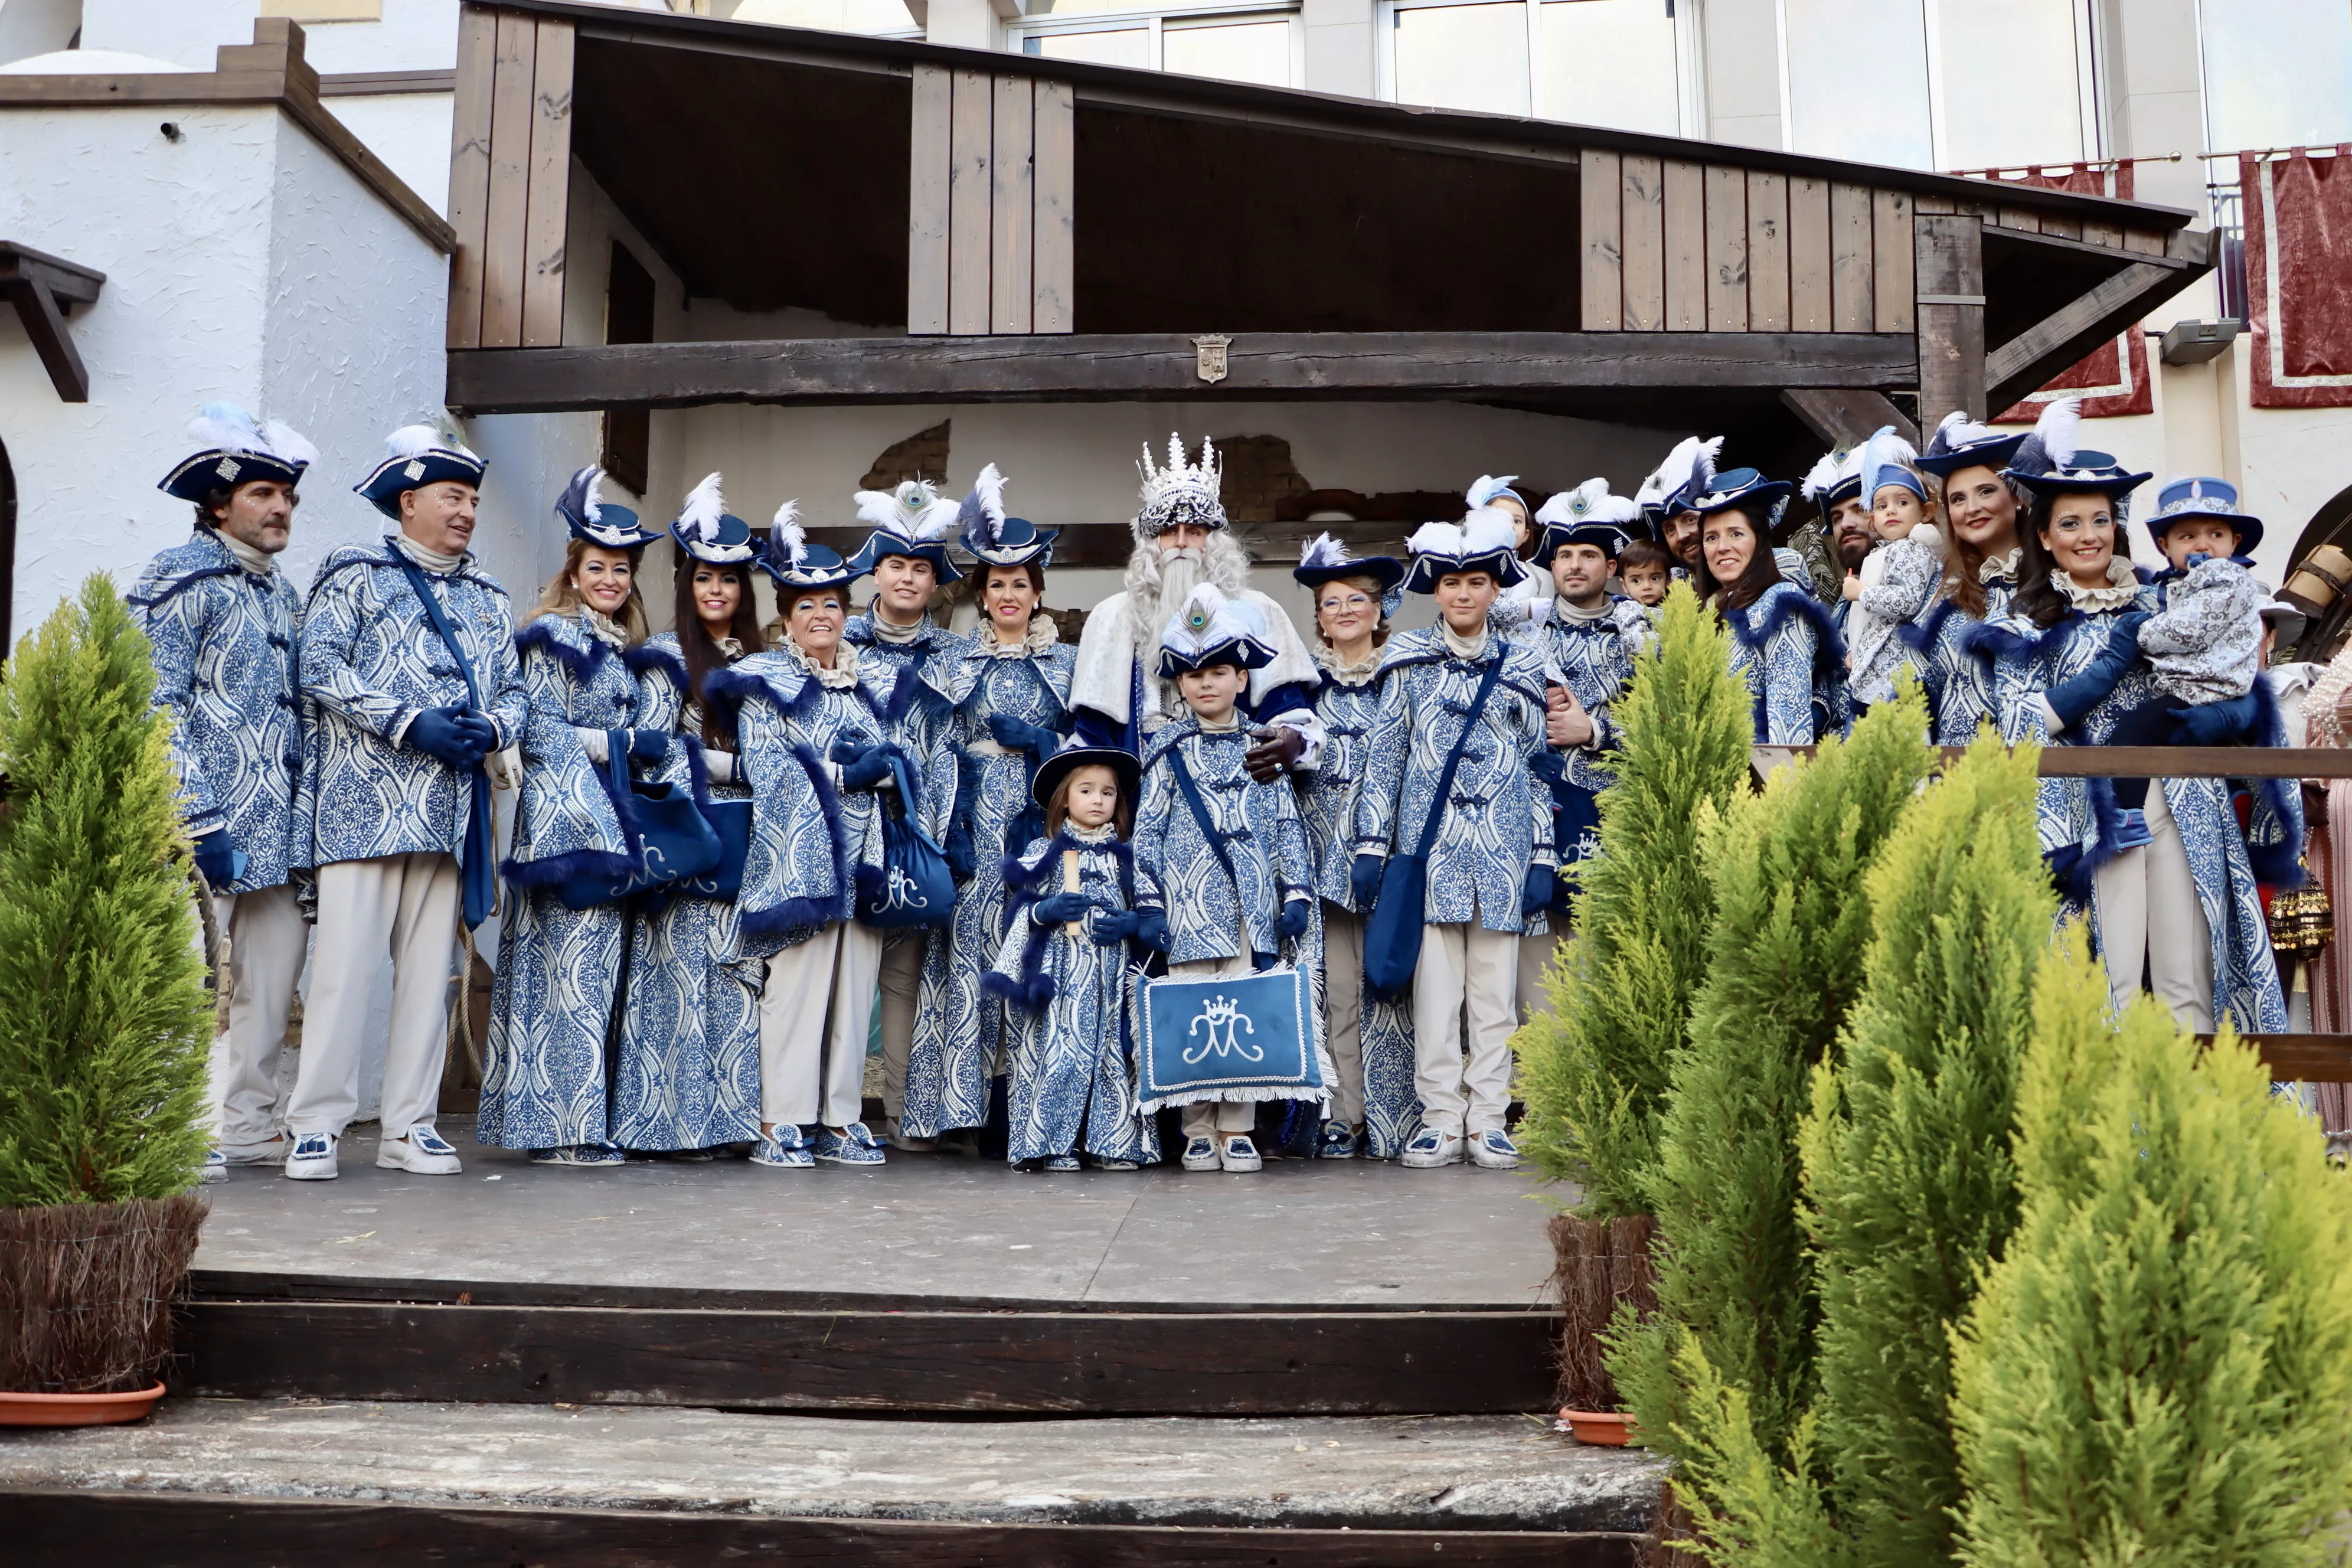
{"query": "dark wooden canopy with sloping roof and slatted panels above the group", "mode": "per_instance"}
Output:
(1027, 229)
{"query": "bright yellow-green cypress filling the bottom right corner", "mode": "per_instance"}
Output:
(2160, 1367)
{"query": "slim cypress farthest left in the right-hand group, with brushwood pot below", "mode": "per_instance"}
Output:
(1593, 1068)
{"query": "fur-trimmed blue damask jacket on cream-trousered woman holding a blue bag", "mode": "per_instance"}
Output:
(813, 845)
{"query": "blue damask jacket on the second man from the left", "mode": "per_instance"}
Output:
(373, 662)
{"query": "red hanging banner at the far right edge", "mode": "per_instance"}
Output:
(2299, 279)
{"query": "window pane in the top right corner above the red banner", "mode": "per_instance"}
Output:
(2278, 74)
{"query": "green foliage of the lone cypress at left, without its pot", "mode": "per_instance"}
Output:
(105, 1021)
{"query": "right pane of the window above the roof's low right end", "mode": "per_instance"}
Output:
(2012, 86)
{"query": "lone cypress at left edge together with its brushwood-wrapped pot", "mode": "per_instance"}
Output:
(105, 1026)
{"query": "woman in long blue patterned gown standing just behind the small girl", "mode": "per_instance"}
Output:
(1010, 690)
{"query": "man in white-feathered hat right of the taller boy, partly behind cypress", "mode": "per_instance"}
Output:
(1586, 643)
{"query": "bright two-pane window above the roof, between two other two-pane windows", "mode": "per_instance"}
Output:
(1591, 62)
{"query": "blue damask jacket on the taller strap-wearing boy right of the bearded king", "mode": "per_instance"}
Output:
(1495, 824)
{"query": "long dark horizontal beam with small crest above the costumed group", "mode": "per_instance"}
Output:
(1165, 366)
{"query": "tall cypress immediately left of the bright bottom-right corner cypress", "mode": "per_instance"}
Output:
(1909, 1188)
